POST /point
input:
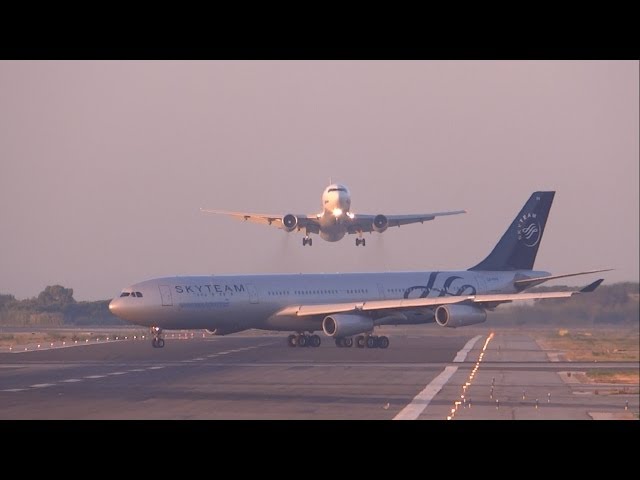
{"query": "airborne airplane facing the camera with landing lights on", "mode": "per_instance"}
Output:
(335, 220)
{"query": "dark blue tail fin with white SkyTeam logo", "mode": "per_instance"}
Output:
(518, 247)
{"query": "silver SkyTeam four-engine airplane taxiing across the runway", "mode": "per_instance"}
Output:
(349, 304)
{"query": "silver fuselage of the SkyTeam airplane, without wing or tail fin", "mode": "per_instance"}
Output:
(239, 302)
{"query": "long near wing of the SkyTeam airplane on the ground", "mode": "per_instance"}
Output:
(487, 301)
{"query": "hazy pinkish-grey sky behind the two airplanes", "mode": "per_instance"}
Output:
(105, 164)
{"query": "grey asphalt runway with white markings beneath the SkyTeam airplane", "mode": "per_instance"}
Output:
(464, 374)
